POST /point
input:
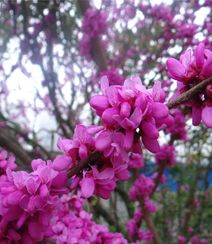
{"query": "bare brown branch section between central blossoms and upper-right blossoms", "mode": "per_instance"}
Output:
(186, 96)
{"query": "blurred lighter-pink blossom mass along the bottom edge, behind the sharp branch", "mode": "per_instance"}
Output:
(73, 225)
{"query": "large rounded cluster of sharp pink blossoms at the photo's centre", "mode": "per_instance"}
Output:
(130, 112)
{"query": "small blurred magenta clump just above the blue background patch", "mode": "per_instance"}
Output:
(166, 155)
